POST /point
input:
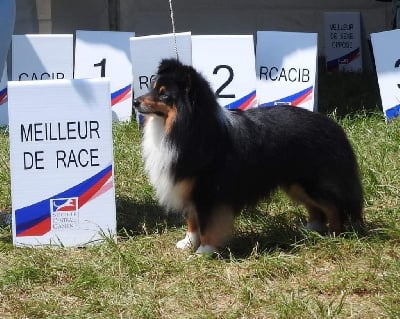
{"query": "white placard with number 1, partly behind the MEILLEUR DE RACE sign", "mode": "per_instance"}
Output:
(107, 54)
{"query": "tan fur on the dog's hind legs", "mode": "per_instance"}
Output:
(315, 210)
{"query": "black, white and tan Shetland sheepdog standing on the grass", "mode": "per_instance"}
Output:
(210, 163)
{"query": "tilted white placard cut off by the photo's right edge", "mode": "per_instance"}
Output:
(387, 63)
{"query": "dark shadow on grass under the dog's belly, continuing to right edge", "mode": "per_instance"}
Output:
(285, 232)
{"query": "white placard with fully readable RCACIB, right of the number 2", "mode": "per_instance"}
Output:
(286, 68)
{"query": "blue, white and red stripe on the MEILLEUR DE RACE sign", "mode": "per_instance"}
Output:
(35, 219)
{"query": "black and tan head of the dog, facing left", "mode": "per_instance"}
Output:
(173, 92)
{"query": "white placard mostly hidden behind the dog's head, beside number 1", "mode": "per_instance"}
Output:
(148, 51)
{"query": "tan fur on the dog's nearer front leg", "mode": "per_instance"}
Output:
(218, 229)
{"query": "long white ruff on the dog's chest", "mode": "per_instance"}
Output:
(159, 157)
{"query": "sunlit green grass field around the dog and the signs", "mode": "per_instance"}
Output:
(271, 268)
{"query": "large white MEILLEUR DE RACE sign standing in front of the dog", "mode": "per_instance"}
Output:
(61, 160)
